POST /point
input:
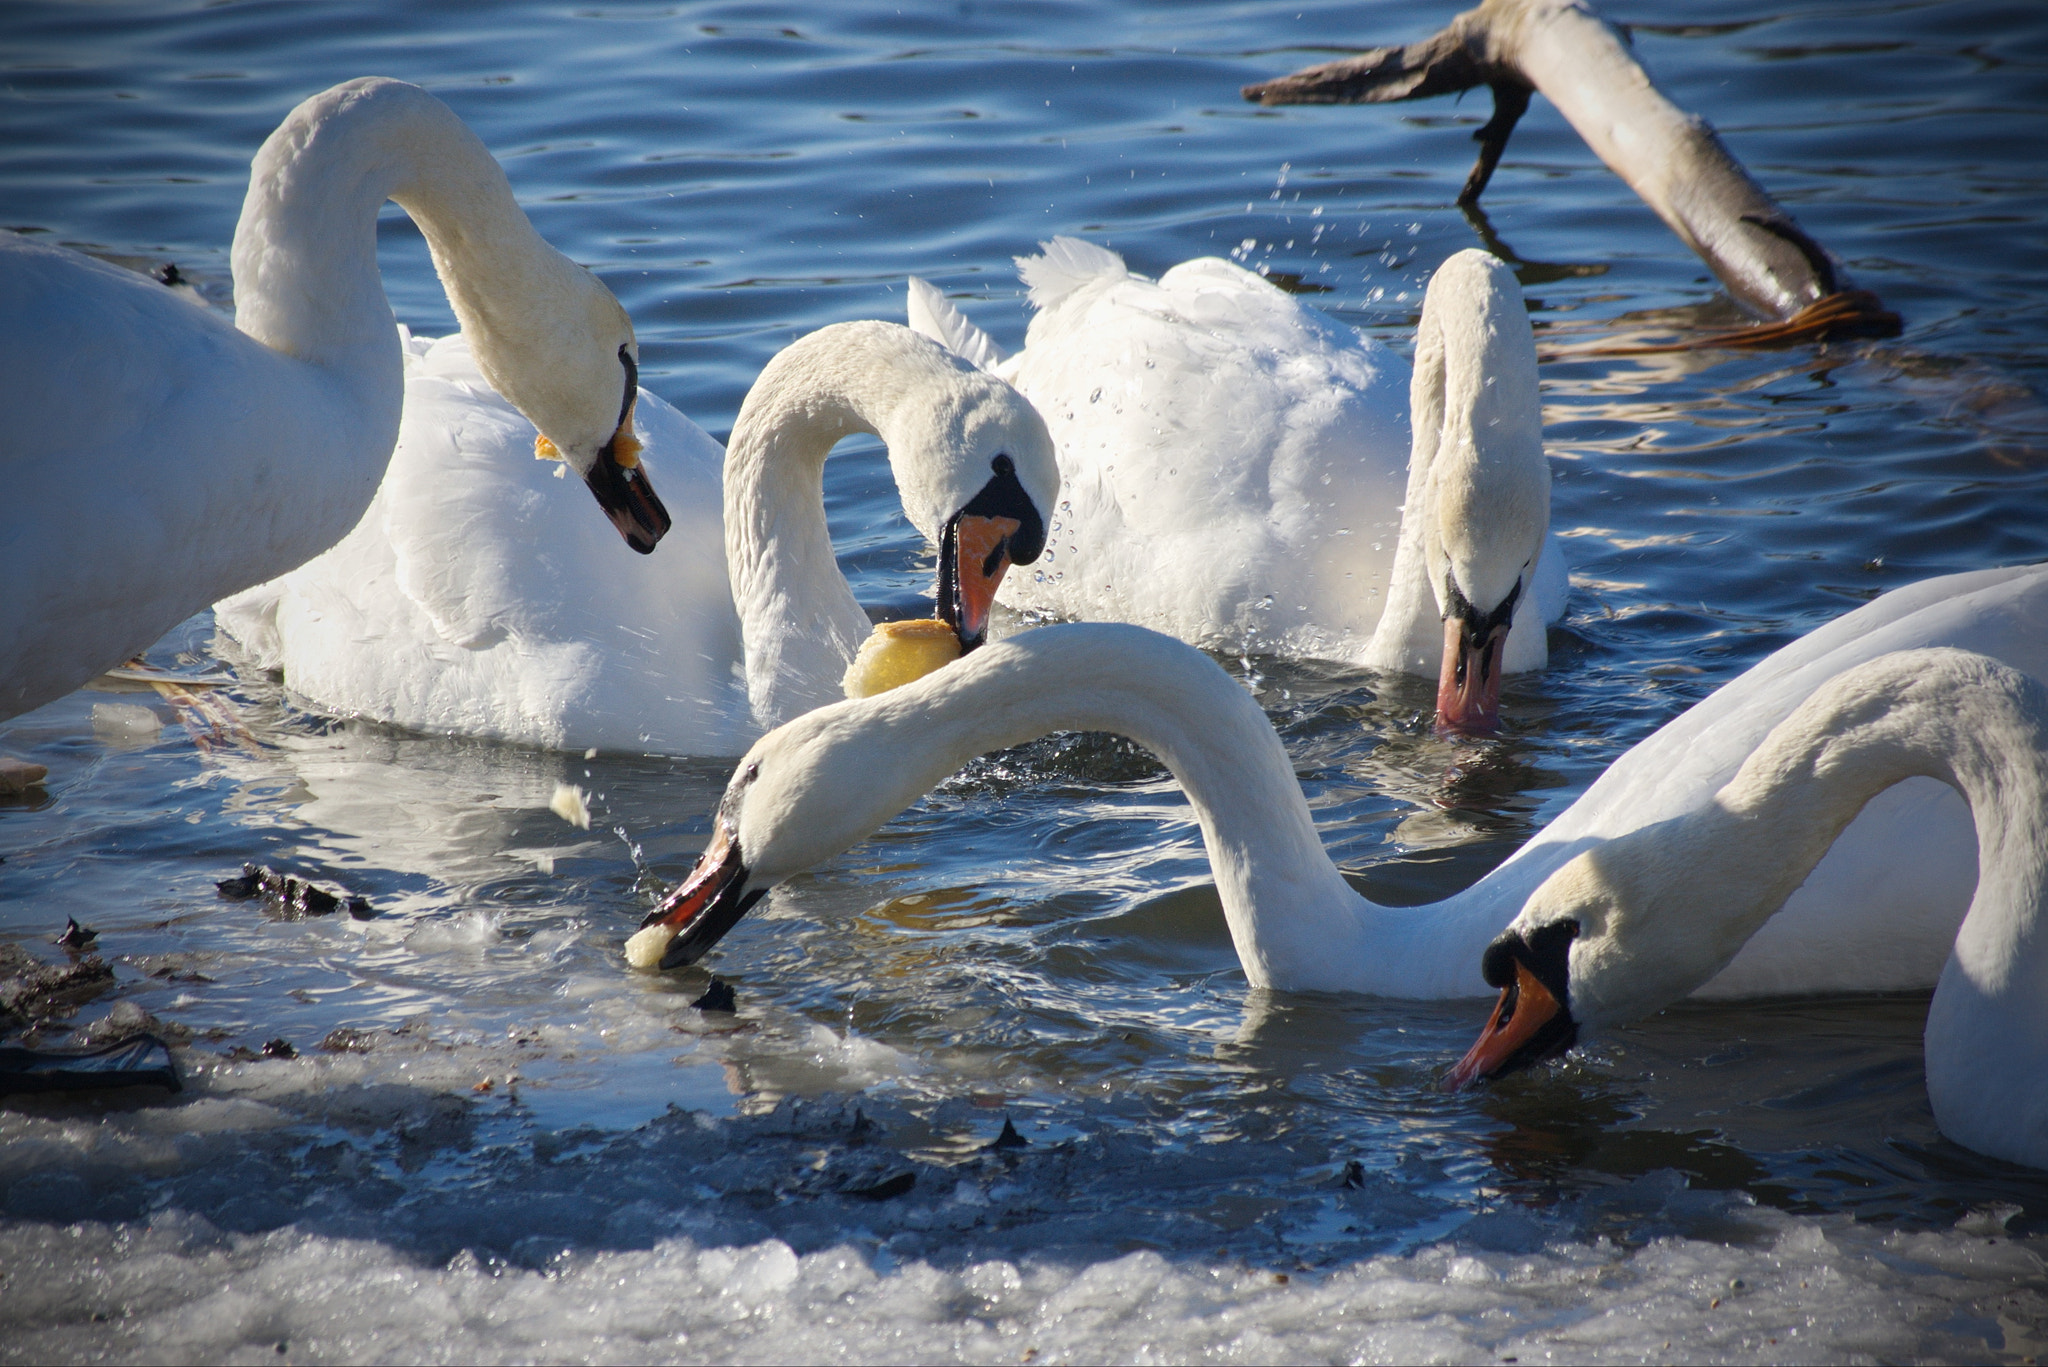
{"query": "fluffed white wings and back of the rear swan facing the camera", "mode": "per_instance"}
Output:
(1230, 458)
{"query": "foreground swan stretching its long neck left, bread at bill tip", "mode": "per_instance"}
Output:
(1895, 884)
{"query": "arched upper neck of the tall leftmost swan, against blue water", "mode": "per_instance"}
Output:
(306, 247)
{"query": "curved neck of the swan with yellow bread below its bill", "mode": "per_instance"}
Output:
(798, 616)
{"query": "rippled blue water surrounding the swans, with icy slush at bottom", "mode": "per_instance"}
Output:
(511, 1147)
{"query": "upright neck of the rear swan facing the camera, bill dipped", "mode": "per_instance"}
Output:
(1480, 487)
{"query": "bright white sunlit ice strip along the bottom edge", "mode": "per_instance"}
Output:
(1811, 1290)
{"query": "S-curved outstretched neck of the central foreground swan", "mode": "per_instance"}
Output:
(1295, 923)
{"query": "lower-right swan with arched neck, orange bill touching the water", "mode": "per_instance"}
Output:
(1644, 919)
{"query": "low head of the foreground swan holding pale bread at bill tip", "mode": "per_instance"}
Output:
(806, 792)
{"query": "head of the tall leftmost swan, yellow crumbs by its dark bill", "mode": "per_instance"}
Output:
(566, 358)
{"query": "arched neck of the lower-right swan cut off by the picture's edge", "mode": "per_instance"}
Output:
(1689, 893)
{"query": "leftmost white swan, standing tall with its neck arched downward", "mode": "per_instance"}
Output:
(159, 458)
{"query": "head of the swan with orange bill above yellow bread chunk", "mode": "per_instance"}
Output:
(978, 479)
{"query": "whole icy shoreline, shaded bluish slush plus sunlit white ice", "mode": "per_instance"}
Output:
(366, 1208)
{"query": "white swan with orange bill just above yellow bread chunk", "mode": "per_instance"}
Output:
(472, 602)
